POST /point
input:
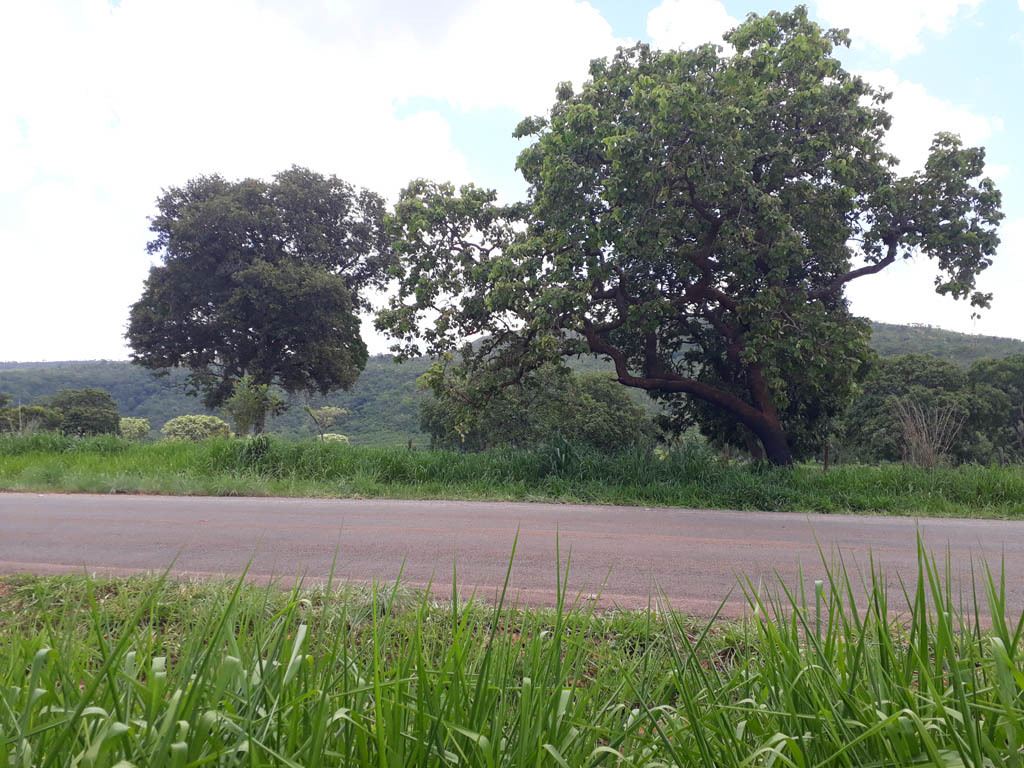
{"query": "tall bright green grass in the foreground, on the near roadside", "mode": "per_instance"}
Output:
(154, 673)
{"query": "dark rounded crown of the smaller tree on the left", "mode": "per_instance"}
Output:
(262, 280)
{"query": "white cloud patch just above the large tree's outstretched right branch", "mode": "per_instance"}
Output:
(918, 116)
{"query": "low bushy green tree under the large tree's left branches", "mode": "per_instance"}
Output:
(550, 404)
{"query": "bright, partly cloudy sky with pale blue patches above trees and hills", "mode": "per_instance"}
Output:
(104, 104)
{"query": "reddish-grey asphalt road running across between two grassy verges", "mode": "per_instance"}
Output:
(627, 554)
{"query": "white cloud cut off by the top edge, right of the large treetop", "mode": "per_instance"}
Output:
(895, 27)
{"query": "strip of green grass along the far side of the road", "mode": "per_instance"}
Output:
(689, 478)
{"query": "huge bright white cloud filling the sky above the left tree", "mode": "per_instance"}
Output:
(111, 104)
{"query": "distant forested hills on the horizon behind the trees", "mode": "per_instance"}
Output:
(386, 402)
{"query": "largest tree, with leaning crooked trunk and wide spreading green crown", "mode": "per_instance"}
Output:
(695, 219)
